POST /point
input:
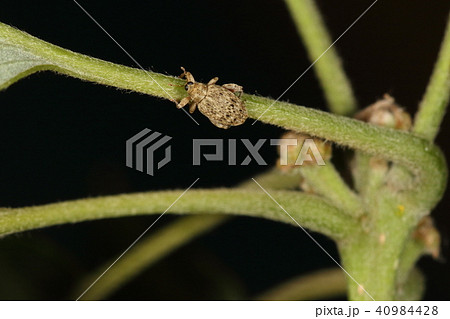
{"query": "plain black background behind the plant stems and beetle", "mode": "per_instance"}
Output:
(63, 139)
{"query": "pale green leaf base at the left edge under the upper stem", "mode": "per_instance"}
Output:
(16, 63)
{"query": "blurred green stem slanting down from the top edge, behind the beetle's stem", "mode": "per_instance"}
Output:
(310, 25)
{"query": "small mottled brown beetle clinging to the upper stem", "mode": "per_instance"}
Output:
(221, 104)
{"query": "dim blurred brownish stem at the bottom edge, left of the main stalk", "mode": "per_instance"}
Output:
(323, 284)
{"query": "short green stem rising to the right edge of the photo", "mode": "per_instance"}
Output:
(436, 98)
